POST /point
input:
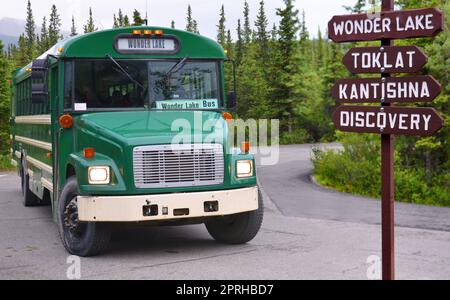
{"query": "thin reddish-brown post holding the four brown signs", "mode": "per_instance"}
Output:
(387, 184)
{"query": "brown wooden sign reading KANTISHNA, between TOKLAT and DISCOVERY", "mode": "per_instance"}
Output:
(388, 90)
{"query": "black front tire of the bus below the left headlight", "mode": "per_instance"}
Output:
(79, 238)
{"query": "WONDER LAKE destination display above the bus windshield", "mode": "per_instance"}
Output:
(147, 45)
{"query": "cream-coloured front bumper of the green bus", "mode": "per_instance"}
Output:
(166, 206)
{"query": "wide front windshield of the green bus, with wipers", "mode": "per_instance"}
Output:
(132, 84)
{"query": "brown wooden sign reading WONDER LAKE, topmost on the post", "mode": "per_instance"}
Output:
(426, 22)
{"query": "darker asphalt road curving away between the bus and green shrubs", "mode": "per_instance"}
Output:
(289, 185)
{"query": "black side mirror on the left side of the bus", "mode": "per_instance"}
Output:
(39, 69)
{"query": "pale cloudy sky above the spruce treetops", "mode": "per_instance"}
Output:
(161, 12)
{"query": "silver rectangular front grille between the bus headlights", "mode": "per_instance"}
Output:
(178, 165)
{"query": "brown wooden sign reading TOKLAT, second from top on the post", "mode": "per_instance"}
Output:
(389, 59)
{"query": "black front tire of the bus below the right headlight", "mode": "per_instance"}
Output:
(239, 228)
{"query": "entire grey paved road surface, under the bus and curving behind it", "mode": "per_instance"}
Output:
(294, 243)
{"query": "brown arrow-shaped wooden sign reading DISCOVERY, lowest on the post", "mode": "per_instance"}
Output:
(388, 120)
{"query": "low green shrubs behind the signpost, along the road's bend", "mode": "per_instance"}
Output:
(356, 169)
